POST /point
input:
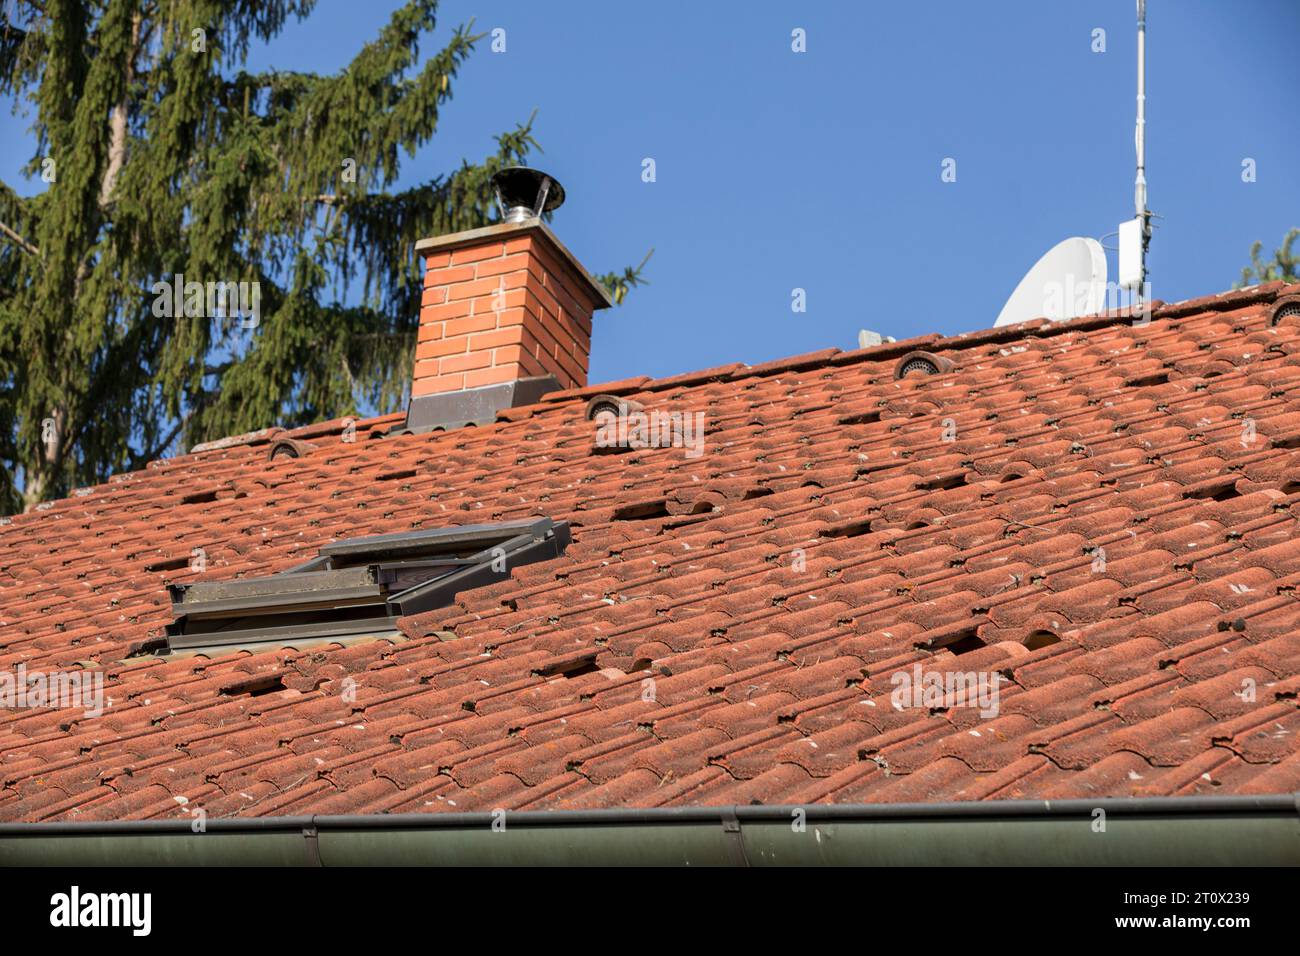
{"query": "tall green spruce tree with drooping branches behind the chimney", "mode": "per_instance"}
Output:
(163, 155)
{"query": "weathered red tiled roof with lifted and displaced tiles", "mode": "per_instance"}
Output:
(829, 539)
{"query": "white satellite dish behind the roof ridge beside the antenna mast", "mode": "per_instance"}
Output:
(1068, 282)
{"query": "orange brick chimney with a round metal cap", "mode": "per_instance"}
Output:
(506, 314)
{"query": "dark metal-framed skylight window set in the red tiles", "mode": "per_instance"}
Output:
(358, 587)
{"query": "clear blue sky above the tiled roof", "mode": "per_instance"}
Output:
(822, 170)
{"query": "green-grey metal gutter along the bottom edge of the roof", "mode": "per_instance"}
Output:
(1158, 832)
